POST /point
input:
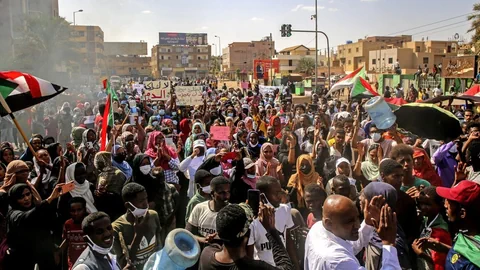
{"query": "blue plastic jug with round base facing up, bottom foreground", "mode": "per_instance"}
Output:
(181, 251)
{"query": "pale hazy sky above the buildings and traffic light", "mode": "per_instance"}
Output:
(247, 20)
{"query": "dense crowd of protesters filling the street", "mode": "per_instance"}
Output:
(336, 192)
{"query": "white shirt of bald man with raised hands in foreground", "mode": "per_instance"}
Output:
(324, 250)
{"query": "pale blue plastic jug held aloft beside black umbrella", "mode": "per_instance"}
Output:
(381, 114)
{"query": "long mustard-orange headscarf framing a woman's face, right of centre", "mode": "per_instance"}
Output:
(301, 180)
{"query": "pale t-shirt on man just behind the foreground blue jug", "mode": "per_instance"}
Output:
(204, 219)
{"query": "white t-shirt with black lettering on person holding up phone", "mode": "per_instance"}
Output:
(258, 234)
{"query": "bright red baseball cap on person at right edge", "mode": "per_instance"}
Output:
(466, 193)
